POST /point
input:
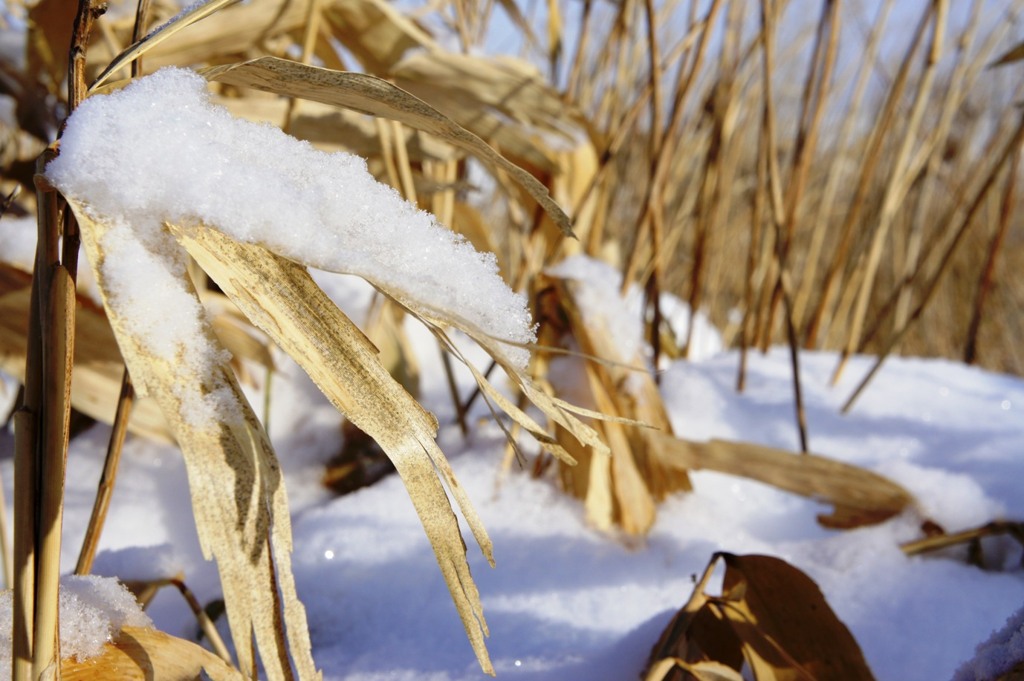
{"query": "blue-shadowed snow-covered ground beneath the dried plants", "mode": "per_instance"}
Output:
(566, 603)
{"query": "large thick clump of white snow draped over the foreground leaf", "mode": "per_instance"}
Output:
(160, 151)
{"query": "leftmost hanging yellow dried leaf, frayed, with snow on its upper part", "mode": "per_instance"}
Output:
(237, 488)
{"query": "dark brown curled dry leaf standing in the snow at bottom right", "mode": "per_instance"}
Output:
(771, 616)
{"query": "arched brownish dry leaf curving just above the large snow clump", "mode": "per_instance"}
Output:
(378, 98)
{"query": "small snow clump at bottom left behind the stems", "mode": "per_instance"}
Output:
(94, 610)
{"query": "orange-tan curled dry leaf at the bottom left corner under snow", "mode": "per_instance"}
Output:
(148, 655)
